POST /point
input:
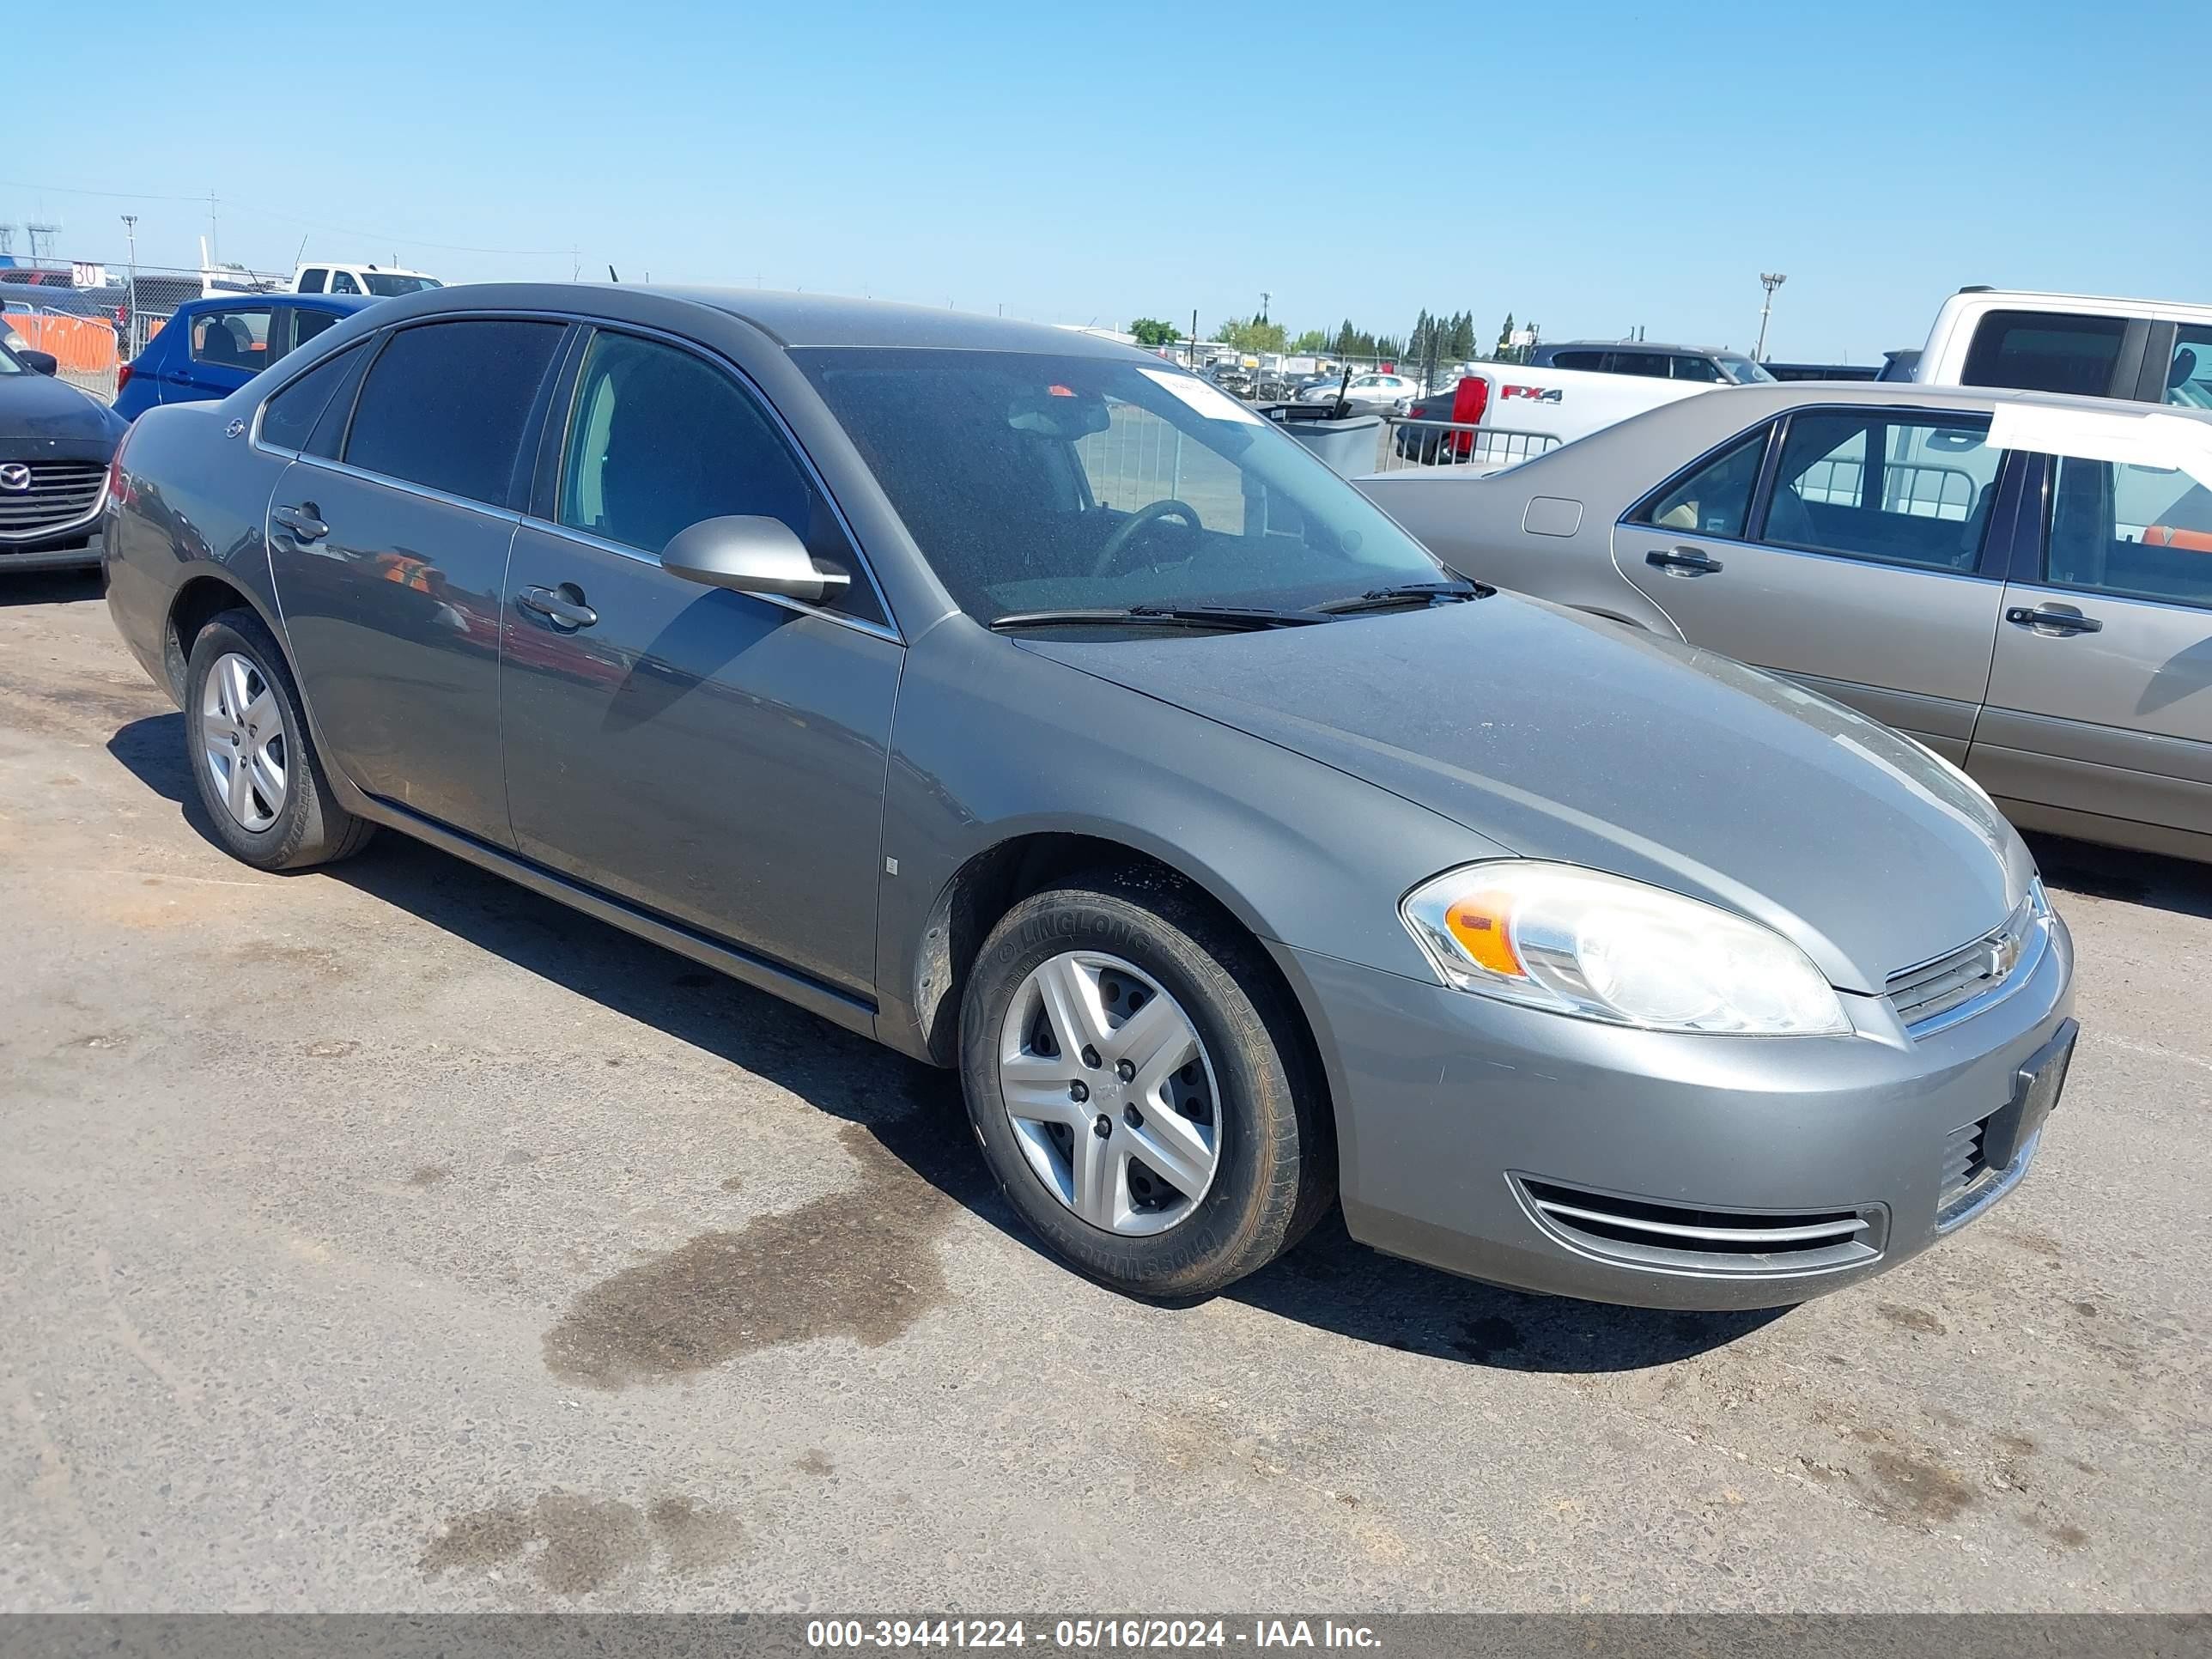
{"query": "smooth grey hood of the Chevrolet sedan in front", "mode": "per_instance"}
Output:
(1558, 735)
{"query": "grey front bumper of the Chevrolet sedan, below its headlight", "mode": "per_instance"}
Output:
(1563, 1156)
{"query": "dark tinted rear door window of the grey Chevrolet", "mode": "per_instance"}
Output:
(446, 406)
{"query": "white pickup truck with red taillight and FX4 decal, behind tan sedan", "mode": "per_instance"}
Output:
(2109, 348)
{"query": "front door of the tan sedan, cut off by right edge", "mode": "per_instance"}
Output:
(2100, 700)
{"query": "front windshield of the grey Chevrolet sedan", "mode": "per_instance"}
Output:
(1050, 483)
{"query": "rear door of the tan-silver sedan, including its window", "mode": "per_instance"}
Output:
(1864, 572)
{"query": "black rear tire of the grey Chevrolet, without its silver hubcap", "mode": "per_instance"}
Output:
(311, 828)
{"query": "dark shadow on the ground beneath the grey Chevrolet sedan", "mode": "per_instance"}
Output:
(917, 1116)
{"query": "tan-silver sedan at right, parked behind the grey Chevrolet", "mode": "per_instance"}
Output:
(2021, 583)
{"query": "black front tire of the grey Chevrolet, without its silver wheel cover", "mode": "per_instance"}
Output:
(1277, 1147)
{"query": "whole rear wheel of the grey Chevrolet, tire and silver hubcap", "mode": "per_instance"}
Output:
(247, 740)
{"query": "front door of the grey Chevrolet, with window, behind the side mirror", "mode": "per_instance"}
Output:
(713, 758)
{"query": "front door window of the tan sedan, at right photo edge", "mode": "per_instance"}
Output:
(2131, 532)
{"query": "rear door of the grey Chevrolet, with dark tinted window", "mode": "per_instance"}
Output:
(388, 547)
